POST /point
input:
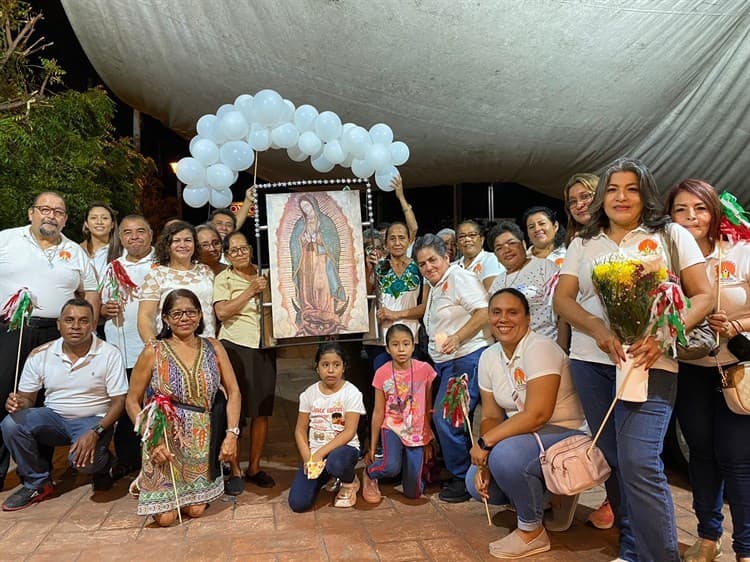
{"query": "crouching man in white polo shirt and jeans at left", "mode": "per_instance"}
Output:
(85, 387)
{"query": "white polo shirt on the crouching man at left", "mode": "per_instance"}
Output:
(75, 390)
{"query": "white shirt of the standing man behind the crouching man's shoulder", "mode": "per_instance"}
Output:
(128, 336)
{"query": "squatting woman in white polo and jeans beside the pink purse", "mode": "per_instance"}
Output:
(527, 394)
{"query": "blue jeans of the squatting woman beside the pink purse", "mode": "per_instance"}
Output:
(516, 475)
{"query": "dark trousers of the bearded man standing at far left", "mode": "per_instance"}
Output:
(32, 337)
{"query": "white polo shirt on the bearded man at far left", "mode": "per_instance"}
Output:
(52, 275)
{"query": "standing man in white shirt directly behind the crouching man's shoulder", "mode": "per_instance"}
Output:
(121, 329)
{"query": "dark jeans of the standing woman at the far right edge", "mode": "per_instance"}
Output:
(715, 436)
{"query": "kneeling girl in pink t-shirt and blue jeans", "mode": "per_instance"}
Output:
(400, 417)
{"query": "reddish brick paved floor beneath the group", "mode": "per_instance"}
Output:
(259, 526)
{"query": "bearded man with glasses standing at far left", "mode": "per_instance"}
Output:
(54, 269)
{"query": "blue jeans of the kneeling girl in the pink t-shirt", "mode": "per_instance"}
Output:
(399, 459)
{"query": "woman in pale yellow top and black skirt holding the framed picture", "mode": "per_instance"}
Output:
(238, 292)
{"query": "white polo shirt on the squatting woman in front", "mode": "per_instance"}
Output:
(535, 356)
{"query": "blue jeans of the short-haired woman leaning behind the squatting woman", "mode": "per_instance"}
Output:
(454, 441)
